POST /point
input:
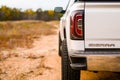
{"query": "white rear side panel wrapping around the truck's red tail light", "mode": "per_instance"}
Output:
(73, 44)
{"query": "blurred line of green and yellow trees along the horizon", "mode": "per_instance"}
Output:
(7, 13)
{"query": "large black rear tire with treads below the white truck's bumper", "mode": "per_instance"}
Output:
(67, 72)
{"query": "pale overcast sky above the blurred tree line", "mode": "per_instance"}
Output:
(34, 4)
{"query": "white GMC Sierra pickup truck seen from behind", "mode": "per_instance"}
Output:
(89, 37)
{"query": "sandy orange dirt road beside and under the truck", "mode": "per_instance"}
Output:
(40, 62)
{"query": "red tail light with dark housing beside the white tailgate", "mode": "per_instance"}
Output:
(77, 25)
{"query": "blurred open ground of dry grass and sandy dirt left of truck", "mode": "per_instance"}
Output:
(29, 50)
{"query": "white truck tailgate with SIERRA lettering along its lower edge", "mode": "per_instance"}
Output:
(102, 25)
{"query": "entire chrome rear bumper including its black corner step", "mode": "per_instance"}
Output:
(95, 62)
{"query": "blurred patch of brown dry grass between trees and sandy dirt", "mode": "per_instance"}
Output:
(21, 33)
